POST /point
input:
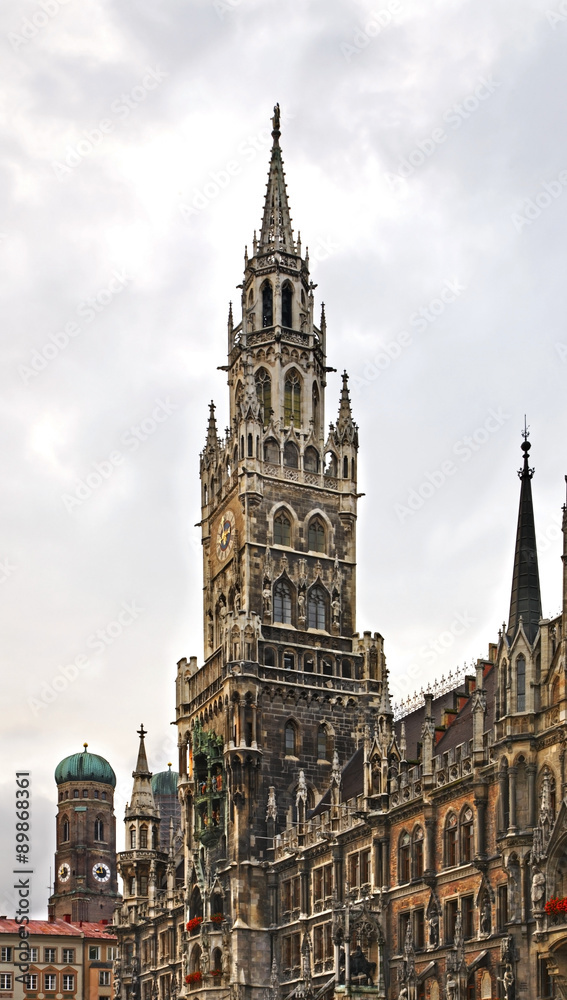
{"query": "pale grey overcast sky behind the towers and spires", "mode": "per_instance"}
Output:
(426, 158)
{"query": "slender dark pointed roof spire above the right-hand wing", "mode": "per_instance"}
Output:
(525, 602)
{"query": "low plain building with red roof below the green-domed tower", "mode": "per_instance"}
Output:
(66, 961)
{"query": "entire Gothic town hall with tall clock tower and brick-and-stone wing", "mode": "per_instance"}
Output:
(325, 846)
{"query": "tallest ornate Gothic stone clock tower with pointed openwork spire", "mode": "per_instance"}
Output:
(288, 687)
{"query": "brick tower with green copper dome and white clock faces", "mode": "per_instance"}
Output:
(86, 886)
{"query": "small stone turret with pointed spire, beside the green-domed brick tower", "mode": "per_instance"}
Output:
(142, 865)
